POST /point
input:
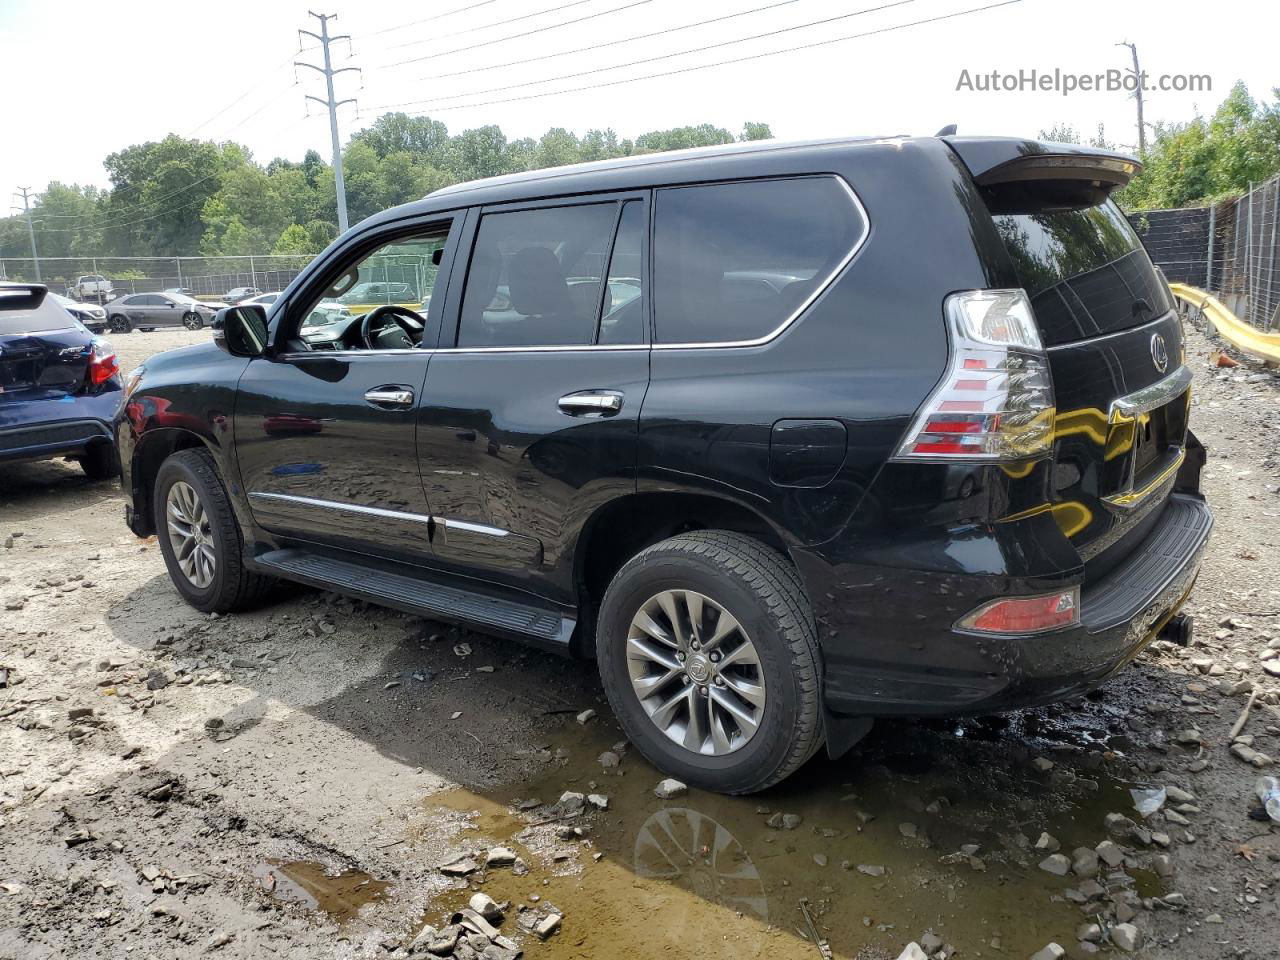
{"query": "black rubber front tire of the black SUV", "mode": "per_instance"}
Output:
(231, 587)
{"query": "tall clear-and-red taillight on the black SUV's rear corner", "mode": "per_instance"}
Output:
(996, 400)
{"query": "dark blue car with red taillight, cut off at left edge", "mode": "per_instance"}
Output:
(61, 386)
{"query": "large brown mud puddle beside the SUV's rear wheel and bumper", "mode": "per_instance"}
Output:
(921, 830)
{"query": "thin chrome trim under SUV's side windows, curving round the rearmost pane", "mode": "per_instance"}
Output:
(712, 345)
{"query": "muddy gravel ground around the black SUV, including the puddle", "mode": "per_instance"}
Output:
(291, 781)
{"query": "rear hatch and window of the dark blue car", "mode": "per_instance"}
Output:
(44, 353)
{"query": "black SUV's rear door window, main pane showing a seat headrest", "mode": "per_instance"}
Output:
(537, 277)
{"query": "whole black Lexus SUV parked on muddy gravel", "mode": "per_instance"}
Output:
(787, 436)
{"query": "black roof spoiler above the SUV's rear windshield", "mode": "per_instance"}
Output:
(995, 161)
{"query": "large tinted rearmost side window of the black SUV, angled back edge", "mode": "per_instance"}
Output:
(737, 262)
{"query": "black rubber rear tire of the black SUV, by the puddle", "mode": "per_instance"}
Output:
(762, 592)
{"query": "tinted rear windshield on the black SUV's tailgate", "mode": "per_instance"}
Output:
(1086, 271)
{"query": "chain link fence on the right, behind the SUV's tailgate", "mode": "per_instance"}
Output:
(1229, 249)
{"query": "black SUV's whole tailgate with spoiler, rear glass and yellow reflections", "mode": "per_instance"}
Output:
(1114, 340)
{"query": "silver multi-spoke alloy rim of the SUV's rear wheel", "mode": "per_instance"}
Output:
(697, 673)
